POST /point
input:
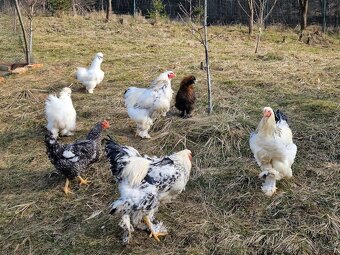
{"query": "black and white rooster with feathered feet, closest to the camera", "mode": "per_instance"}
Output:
(144, 183)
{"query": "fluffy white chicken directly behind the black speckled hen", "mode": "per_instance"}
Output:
(60, 113)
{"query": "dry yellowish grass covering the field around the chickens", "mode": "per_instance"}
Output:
(222, 210)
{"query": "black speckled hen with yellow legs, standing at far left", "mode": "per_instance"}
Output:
(72, 159)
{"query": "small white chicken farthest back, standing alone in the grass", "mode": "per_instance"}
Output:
(93, 75)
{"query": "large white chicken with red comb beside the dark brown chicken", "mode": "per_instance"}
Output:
(144, 104)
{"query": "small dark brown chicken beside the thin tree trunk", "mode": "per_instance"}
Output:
(185, 98)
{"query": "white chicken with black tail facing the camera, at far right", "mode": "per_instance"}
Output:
(273, 148)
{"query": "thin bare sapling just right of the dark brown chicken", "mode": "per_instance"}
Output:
(201, 34)
